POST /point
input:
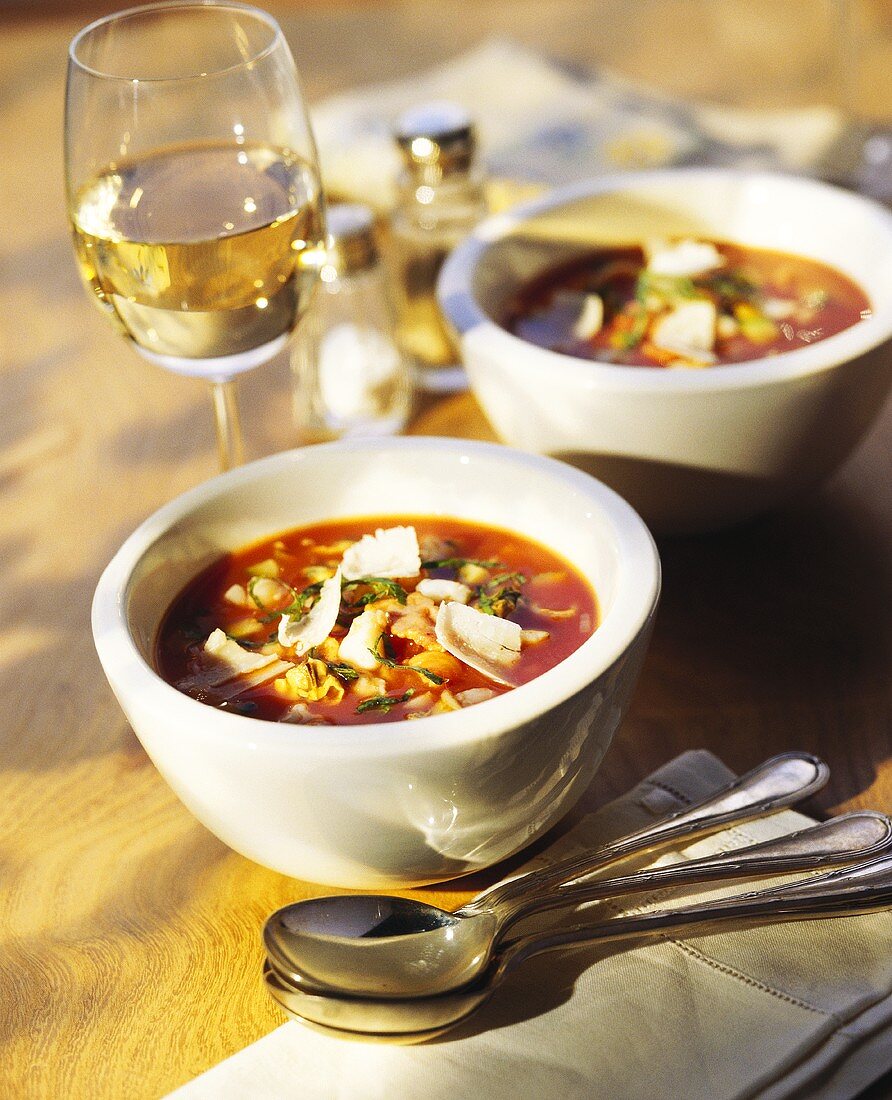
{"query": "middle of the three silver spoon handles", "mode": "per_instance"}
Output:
(845, 840)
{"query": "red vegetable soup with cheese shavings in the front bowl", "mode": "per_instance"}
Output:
(375, 620)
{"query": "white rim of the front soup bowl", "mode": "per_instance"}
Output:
(635, 603)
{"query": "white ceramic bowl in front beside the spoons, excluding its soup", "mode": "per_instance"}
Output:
(387, 805)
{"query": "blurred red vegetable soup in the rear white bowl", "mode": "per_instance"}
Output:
(685, 304)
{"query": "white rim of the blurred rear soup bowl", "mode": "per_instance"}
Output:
(457, 298)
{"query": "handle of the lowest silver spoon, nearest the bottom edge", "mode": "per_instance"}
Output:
(849, 893)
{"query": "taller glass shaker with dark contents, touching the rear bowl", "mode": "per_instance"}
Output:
(441, 200)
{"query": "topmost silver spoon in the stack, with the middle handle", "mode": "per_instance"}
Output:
(394, 948)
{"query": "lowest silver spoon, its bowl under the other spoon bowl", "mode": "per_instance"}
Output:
(855, 890)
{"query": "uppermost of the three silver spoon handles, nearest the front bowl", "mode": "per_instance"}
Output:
(774, 786)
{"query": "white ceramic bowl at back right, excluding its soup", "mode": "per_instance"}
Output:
(691, 450)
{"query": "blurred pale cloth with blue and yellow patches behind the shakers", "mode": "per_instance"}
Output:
(542, 123)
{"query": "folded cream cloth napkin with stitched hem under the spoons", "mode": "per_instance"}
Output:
(786, 1011)
